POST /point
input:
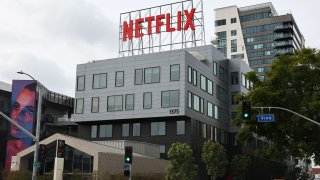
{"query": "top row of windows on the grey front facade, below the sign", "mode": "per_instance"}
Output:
(146, 76)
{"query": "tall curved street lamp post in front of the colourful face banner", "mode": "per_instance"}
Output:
(36, 151)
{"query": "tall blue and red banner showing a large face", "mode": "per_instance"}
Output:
(22, 111)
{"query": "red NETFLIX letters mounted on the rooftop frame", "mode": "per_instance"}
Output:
(128, 27)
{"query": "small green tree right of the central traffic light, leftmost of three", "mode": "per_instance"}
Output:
(181, 162)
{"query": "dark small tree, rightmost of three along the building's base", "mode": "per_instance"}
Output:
(240, 165)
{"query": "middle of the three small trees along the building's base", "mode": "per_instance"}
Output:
(214, 156)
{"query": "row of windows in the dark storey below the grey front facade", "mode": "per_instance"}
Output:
(134, 129)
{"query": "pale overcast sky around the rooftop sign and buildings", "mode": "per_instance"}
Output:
(48, 38)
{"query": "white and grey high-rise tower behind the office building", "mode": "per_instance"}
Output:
(256, 34)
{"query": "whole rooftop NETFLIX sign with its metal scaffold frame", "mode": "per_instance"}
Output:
(162, 28)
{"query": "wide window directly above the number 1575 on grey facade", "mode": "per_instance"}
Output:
(170, 98)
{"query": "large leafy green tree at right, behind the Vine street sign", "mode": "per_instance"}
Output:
(293, 87)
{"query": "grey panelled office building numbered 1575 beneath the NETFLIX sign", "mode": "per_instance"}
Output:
(161, 98)
